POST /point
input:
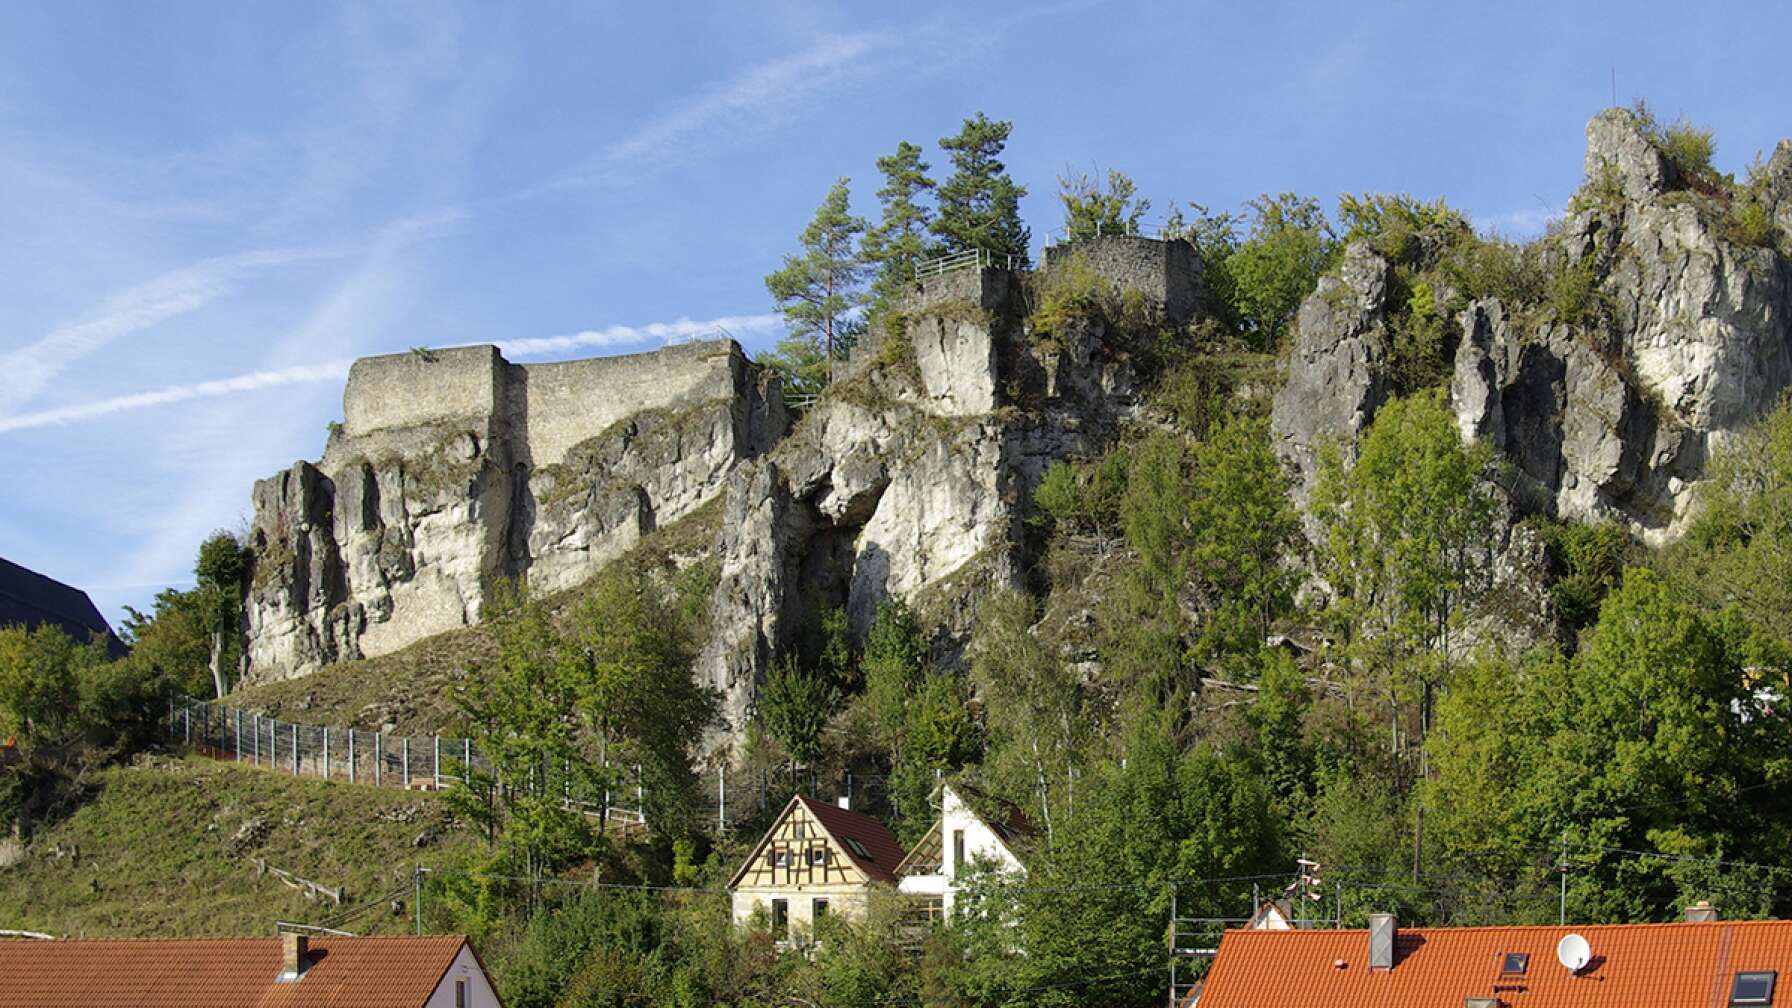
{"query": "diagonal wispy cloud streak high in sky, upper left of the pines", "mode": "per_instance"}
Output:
(755, 96)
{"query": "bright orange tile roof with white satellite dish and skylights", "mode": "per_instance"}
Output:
(1657, 966)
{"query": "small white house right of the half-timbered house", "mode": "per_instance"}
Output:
(960, 839)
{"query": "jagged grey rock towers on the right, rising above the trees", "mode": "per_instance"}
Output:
(1607, 417)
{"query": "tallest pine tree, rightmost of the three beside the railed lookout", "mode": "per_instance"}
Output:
(979, 205)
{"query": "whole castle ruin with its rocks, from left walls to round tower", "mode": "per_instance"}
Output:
(456, 469)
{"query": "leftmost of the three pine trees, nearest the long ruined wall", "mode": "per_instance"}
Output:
(818, 293)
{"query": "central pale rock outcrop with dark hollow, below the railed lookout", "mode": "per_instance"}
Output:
(911, 478)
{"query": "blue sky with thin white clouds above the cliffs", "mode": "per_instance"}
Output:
(211, 209)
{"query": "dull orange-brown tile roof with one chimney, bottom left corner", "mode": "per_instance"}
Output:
(223, 973)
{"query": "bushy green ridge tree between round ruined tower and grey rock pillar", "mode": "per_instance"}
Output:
(1279, 265)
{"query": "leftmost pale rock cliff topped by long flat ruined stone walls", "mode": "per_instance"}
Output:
(454, 469)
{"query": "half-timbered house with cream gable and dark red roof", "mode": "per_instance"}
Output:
(816, 860)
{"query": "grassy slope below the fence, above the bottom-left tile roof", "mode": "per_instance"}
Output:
(168, 849)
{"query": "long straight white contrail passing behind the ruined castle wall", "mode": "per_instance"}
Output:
(338, 370)
